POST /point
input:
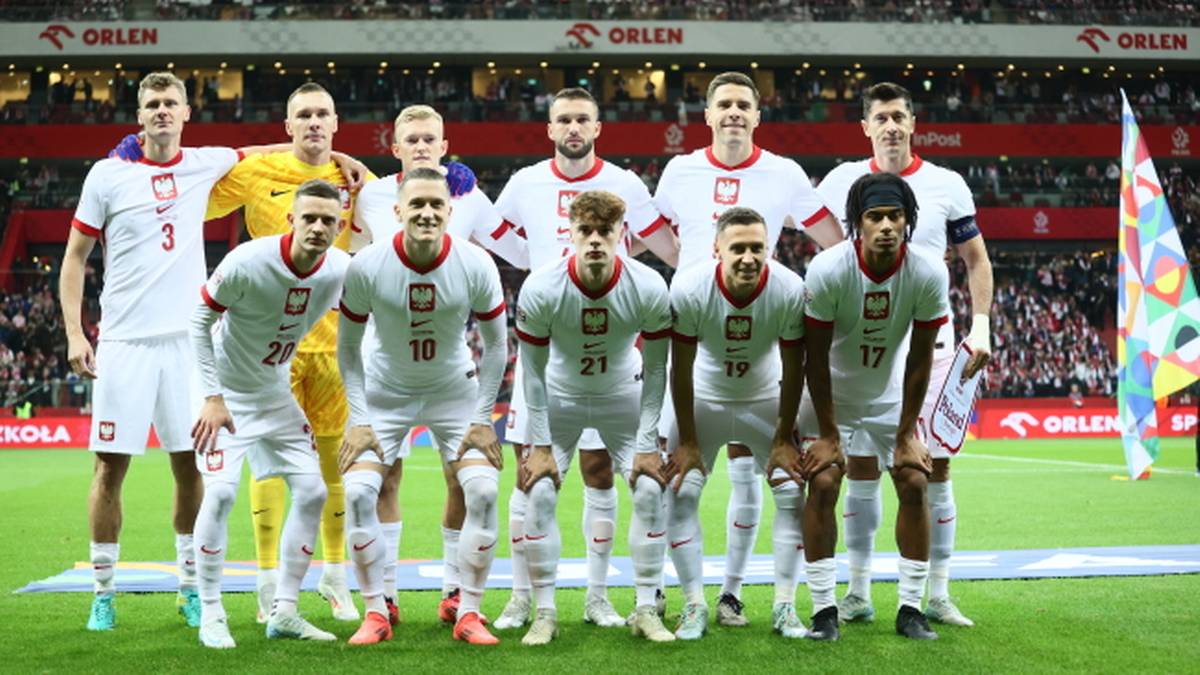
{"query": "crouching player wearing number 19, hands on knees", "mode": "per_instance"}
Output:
(736, 375)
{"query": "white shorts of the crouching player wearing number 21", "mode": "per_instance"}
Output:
(613, 417)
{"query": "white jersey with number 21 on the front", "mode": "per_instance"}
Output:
(592, 337)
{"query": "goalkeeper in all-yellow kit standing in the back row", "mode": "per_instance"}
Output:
(266, 186)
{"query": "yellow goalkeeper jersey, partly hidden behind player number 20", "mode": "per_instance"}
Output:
(266, 186)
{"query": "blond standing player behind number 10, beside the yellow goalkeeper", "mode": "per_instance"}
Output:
(421, 144)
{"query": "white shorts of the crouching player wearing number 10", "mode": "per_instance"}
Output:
(447, 414)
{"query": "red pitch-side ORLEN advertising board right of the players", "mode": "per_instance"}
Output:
(1015, 420)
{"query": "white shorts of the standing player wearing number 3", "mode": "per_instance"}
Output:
(145, 383)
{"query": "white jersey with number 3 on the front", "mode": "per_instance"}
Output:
(151, 219)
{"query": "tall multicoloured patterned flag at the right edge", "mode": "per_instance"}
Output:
(1159, 313)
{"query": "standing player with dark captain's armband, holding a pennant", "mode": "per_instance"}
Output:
(947, 216)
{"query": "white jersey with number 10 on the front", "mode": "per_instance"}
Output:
(421, 312)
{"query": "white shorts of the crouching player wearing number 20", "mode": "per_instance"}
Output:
(278, 441)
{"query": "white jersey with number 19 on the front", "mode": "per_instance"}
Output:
(739, 342)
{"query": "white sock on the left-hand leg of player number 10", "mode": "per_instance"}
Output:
(363, 534)
